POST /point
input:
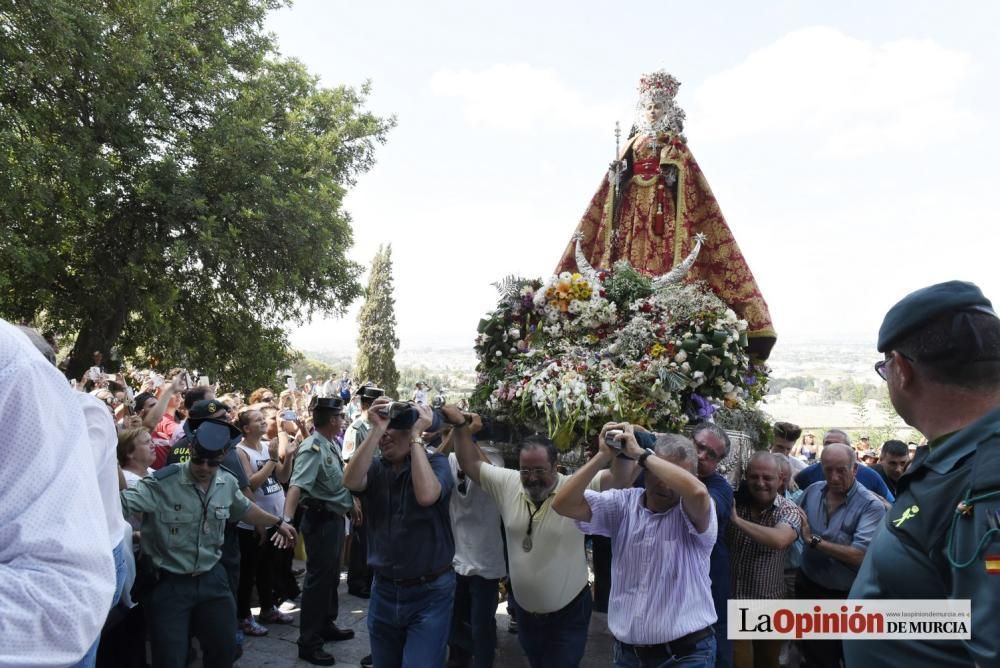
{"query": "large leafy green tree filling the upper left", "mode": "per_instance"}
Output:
(171, 186)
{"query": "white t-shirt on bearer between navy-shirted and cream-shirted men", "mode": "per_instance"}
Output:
(475, 523)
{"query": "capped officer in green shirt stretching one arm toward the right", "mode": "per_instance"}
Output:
(185, 509)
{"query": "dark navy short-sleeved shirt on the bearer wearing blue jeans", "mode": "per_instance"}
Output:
(407, 540)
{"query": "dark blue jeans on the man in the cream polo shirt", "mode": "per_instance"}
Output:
(557, 639)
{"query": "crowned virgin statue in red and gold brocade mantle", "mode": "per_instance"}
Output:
(652, 205)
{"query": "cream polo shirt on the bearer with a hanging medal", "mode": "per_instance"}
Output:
(554, 571)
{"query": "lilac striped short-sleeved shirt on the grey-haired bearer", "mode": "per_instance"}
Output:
(660, 589)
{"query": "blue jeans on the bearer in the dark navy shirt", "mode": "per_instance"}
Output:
(408, 626)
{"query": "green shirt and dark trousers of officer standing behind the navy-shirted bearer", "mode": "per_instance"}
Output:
(319, 472)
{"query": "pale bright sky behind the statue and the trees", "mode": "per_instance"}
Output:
(852, 149)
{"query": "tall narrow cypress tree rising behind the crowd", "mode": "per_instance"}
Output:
(377, 342)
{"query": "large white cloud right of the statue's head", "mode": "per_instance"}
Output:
(843, 96)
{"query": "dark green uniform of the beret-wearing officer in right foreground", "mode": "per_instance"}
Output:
(929, 549)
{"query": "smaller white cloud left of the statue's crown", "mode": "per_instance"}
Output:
(521, 97)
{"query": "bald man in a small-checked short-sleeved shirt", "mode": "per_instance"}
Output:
(764, 526)
